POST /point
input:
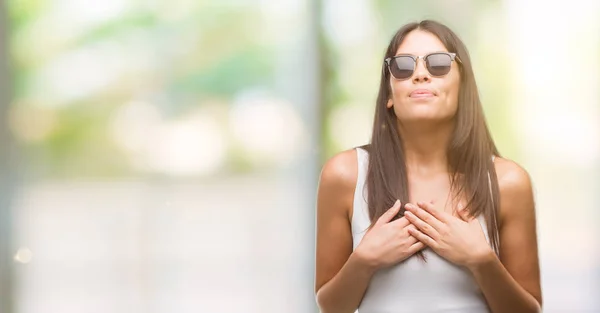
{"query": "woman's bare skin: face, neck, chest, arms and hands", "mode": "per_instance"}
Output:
(510, 283)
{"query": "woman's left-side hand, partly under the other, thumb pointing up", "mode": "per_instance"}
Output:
(388, 243)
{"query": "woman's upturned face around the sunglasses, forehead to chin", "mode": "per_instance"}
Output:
(423, 97)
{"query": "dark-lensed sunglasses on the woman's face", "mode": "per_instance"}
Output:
(403, 66)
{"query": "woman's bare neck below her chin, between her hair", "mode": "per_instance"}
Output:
(425, 146)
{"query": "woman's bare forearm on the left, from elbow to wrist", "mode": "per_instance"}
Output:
(344, 292)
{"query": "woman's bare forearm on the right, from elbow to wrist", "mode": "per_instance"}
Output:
(502, 292)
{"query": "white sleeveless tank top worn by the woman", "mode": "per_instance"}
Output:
(414, 286)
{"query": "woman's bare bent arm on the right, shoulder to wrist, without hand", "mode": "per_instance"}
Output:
(512, 283)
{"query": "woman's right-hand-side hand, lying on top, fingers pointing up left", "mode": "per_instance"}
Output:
(458, 241)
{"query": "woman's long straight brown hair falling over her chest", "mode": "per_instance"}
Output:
(469, 151)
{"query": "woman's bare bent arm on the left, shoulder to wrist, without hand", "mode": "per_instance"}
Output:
(341, 277)
